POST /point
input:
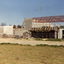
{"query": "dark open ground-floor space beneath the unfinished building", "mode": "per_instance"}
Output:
(50, 34)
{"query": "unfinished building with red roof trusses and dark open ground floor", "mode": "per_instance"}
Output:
(43, 27)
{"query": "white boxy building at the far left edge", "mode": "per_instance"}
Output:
(6, 31)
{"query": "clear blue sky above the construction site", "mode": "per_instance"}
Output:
(13, 12)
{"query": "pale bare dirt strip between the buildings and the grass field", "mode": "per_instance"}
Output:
(29, 41)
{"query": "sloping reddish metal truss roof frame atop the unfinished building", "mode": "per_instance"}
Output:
(50, 19)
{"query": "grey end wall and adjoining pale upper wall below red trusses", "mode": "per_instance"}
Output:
(29, 22)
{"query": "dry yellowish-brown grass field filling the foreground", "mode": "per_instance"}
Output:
(44, 54)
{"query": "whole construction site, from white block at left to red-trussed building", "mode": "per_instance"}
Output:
(38, 27)
